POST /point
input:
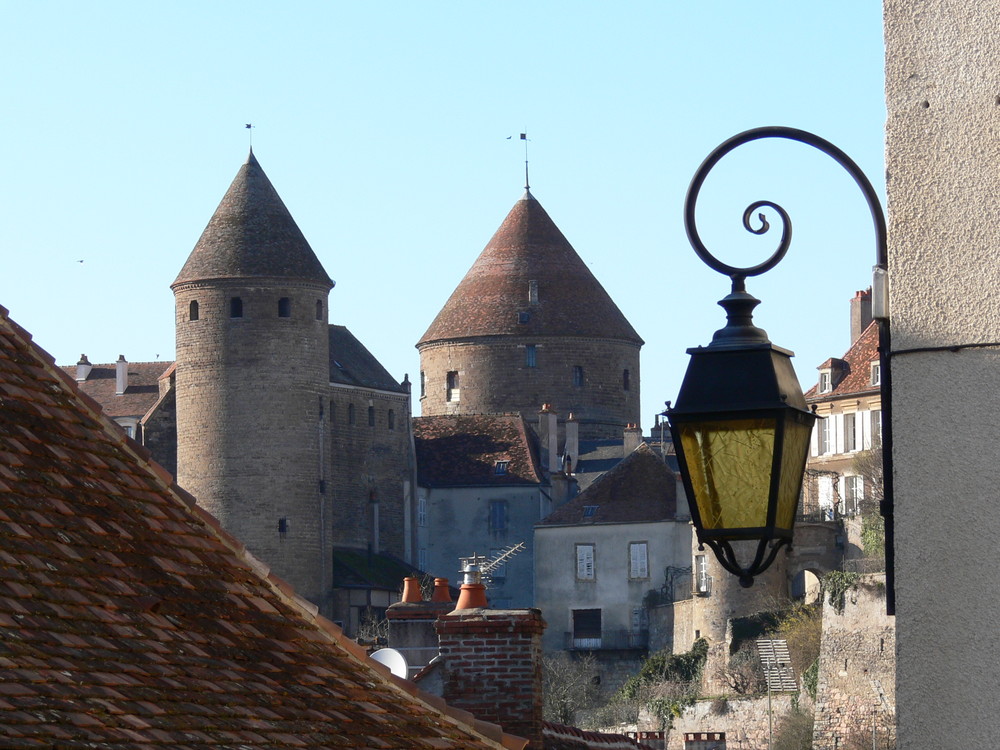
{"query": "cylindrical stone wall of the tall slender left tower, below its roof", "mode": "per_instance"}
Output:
(262, 376)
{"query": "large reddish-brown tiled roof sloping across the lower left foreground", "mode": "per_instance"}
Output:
(129, 619)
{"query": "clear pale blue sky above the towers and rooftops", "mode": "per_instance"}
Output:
(383, 126)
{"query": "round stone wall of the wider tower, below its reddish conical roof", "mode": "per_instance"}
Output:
(495, 376)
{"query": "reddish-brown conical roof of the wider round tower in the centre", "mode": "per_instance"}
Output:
(493, 298)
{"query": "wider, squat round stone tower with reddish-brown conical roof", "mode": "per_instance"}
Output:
(530, 324)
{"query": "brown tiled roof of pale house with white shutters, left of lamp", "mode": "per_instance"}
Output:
(638, 489)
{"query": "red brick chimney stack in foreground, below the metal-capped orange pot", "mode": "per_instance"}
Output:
(493, 667)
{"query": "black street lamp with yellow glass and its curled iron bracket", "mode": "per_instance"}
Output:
(740, 426)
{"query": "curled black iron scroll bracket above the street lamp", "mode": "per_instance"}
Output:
(737, 273)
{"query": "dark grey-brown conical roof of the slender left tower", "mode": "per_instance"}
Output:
(252, 234)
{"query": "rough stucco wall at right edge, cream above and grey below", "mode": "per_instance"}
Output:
(942, 151)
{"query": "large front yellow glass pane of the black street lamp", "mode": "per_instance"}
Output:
(729, 463)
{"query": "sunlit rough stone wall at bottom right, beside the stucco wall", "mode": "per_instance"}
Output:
(856, 692)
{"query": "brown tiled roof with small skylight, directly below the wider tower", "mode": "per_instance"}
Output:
(462, 450)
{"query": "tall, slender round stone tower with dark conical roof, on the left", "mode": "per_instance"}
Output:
(252, 382)
